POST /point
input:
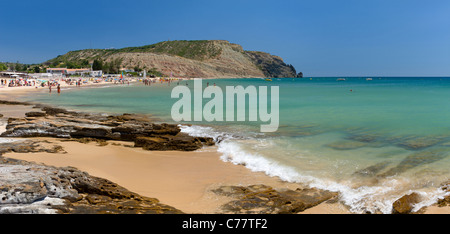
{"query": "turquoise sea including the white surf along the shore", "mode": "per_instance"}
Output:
(371, 140)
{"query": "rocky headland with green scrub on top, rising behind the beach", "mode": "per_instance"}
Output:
(202, 59)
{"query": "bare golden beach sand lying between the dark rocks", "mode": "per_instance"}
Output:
(198, 172)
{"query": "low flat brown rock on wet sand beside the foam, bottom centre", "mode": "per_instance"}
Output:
(262, 199)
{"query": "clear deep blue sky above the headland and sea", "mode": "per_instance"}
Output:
(318, 37)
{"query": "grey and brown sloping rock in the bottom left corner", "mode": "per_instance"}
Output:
(30, 188)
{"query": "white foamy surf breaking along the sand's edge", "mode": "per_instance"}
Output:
(360, 199)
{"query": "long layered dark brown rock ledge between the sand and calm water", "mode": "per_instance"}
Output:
(60, 123)
